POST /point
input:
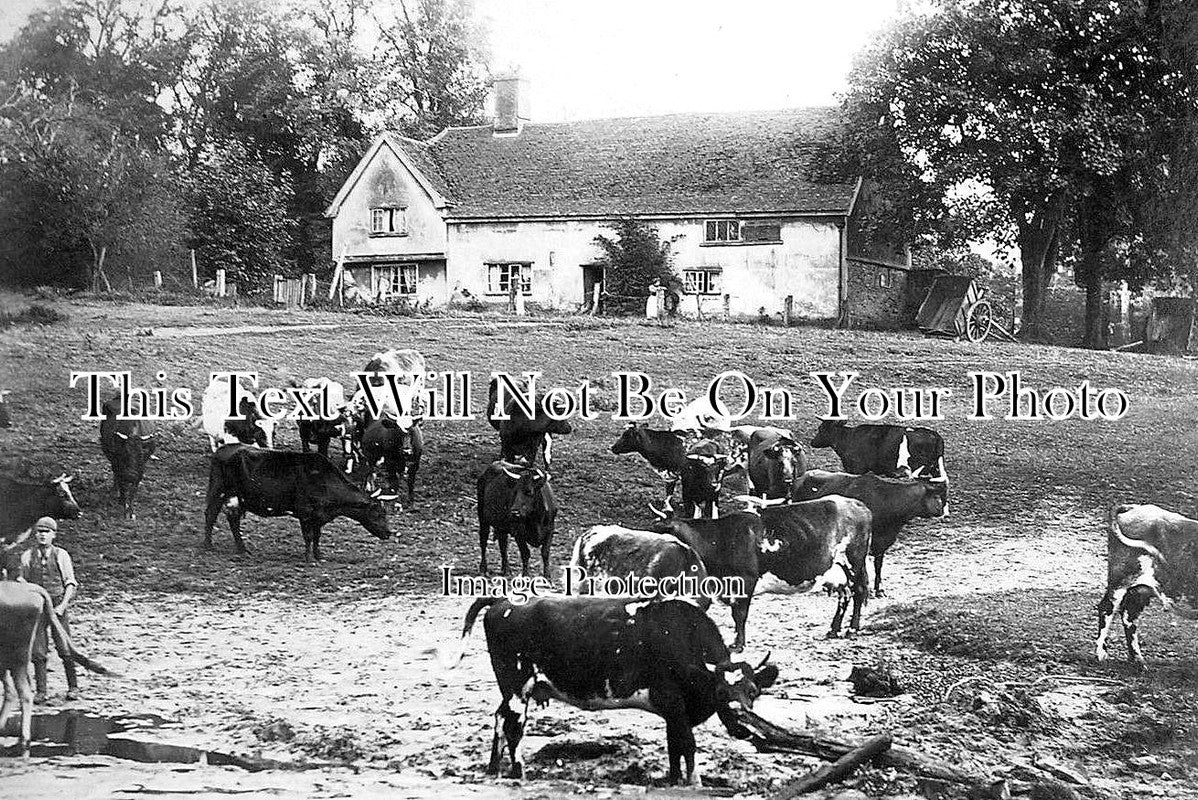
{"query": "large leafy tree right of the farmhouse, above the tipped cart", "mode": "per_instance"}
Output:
(1027, 122)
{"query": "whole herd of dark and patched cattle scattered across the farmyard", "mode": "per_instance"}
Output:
(801, 529)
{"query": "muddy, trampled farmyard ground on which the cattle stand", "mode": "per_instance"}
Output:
(989, 625)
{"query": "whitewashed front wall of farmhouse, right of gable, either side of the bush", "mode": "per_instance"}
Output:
(758, 277)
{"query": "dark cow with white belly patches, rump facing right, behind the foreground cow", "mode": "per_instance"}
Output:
(824, 541)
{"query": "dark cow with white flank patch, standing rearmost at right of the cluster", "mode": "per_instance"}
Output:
(892, 451)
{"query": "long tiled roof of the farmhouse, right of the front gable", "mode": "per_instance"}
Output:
(677, 165)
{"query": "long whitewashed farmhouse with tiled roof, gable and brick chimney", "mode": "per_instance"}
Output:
(468, 213)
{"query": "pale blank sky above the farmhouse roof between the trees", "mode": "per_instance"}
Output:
(626, 58)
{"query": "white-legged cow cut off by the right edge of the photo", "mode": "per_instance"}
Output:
(1151, 554)
